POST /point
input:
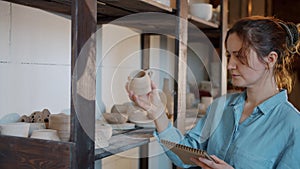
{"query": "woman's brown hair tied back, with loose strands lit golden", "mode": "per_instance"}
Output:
(267, 34)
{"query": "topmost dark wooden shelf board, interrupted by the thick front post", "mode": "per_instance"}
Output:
(107, 10)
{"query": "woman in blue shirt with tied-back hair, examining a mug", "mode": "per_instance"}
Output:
(257, 128)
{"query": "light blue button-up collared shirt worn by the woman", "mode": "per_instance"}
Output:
(268, 139)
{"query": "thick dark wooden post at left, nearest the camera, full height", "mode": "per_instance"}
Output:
(83, 90)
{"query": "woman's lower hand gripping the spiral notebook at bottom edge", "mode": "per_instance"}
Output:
(208, 164)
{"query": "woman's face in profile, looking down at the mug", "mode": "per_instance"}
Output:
(243, 74)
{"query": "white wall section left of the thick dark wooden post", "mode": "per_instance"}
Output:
(34, 50)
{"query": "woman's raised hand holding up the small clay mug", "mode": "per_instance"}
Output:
(150, 102)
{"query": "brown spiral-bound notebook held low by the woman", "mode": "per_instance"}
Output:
(185, 152)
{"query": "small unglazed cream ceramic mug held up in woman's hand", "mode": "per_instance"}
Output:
(139, 82)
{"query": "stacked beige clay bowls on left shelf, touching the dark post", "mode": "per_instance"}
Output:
(61, 123)
